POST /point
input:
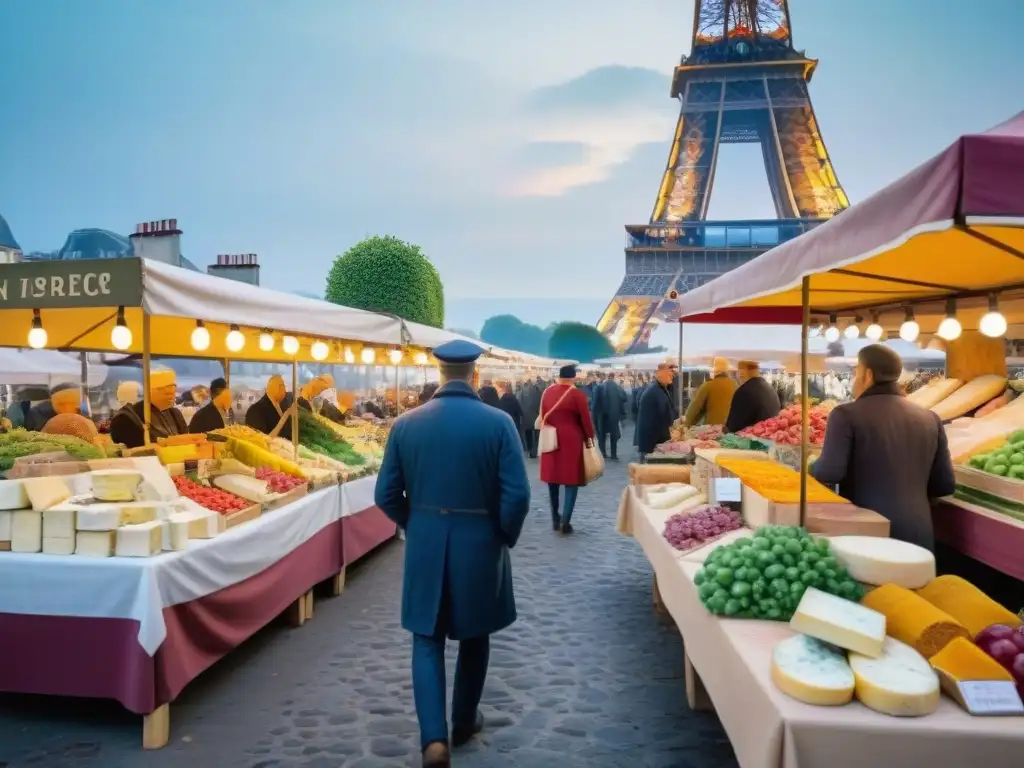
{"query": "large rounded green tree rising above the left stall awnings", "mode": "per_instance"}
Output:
(387, 275)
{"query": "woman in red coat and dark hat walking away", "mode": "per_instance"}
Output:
(567, 409)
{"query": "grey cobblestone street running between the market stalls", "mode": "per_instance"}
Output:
(588, 676)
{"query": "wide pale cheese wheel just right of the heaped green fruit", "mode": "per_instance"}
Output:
(877, 562)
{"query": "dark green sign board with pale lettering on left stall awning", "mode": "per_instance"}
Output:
(73, 284)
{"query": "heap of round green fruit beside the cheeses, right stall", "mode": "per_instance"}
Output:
(765, 576)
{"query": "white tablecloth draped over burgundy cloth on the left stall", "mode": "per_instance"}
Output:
(142, 588)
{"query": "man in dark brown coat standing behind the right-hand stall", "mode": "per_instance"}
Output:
(885, 453)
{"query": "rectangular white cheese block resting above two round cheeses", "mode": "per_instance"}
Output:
(840, 622)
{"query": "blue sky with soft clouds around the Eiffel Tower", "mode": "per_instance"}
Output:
(493, 134)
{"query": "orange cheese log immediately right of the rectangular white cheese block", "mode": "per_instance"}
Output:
(912, 620)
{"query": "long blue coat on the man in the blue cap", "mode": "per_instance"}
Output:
(455, 480)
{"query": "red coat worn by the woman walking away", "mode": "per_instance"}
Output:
(574, 425)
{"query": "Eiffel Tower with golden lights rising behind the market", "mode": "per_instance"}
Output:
(743, 82)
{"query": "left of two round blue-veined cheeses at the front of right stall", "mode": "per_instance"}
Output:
(813, 672)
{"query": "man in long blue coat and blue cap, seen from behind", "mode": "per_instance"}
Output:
(455, 481)
